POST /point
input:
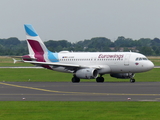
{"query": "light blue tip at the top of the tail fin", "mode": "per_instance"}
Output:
(30, 30)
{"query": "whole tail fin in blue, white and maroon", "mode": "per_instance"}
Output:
(36, 47)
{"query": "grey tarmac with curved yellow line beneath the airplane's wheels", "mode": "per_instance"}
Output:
(83, 91)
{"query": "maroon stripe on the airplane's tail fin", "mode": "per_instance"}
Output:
(38, 50)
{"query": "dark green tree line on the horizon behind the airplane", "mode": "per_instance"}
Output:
(146, 46)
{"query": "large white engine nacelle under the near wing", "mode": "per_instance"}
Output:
(87, 73)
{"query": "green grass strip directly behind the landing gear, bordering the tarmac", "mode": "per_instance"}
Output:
(44, 75)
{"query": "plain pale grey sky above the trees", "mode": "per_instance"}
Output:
(77, 20)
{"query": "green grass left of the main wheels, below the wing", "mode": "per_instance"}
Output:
(32, 75)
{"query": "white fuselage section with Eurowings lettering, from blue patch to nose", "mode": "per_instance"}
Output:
(106, 62)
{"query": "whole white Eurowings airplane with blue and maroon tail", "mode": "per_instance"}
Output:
(85, 65)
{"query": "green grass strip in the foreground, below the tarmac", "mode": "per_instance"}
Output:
(48, 110)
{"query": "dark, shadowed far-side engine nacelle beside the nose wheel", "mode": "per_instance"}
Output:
(122, 75)
